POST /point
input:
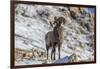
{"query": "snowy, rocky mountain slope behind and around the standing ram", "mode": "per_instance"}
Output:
(32, 24)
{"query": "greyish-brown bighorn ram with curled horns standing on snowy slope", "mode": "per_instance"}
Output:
(54, 38)
